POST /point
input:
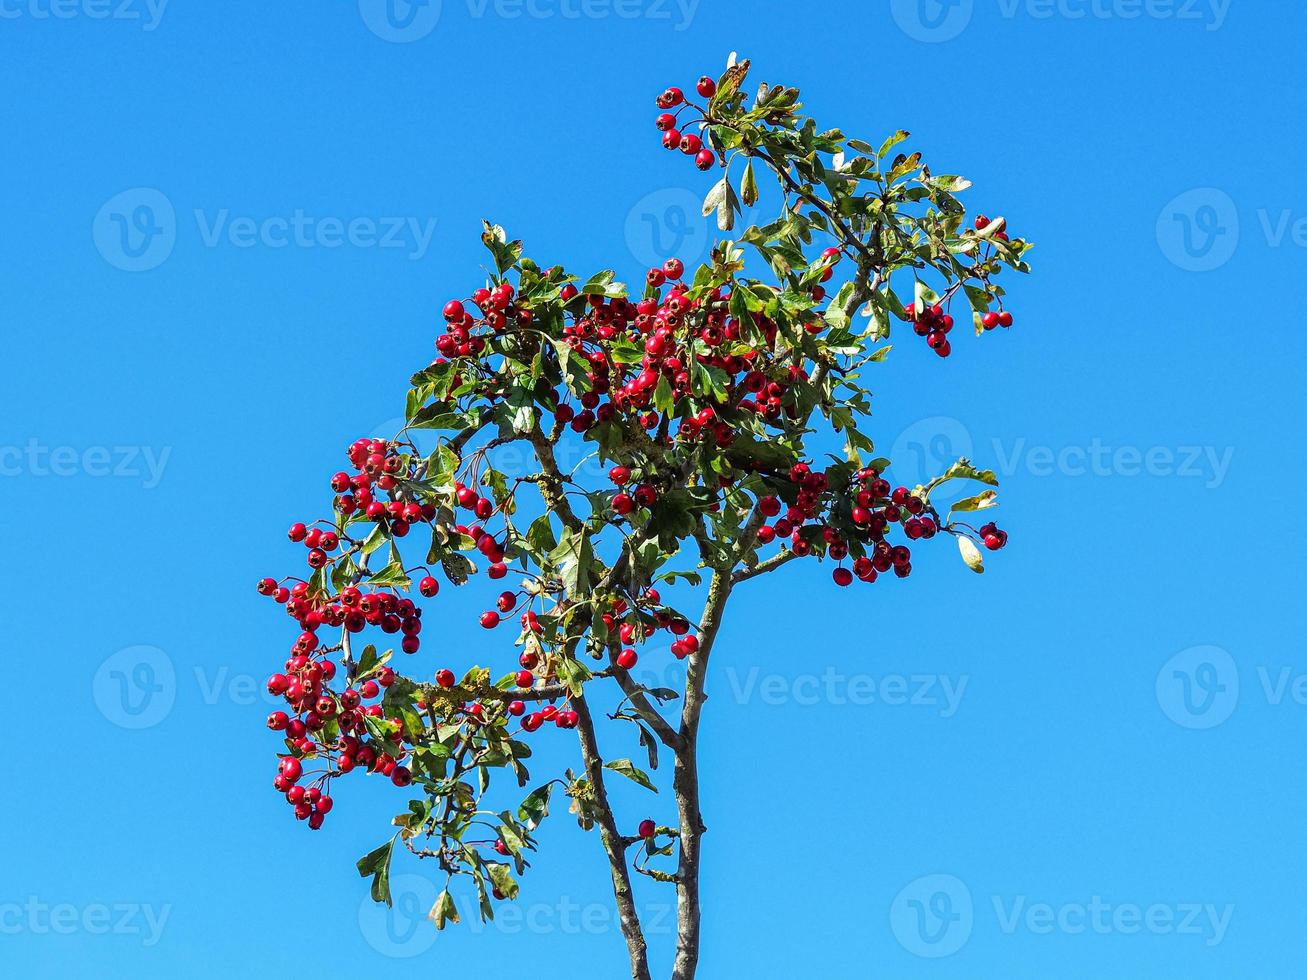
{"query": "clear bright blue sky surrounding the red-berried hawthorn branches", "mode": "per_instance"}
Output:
(1123, 730)
